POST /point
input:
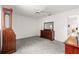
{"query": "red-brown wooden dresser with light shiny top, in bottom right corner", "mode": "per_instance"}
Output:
(71, 46)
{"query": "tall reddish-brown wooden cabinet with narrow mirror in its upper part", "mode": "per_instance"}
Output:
(8, 35)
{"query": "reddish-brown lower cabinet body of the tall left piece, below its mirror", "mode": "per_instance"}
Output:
(9, 41)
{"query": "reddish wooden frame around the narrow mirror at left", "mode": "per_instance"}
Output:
(4, 12)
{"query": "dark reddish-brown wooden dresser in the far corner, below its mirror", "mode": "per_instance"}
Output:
(48, 34)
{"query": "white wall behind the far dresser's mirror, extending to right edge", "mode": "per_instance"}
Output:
(60, 23)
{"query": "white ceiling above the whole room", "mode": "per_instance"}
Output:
(39, 11)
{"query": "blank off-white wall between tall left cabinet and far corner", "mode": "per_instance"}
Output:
(25, 26)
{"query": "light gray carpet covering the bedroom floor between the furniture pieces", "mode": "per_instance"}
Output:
(37, 45)
